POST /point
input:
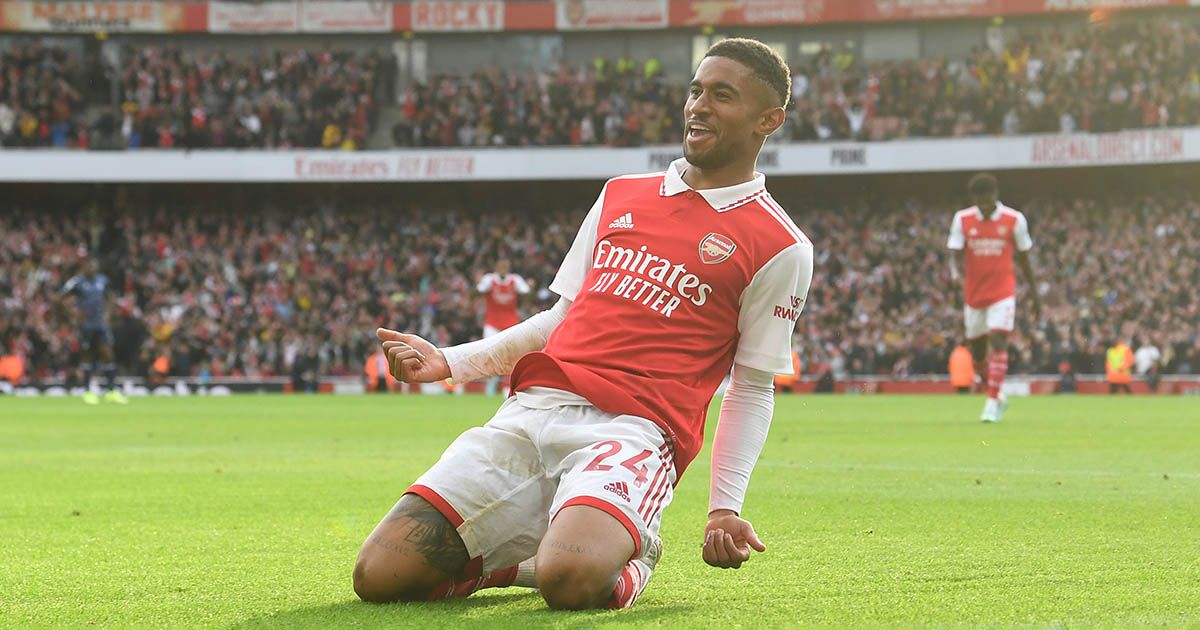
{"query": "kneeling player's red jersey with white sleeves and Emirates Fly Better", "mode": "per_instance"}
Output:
(670, 287)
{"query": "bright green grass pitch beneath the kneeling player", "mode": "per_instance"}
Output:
(249, 512)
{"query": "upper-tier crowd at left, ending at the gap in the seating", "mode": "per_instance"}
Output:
(169, 98)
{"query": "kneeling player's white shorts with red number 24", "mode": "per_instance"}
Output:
(502, 484)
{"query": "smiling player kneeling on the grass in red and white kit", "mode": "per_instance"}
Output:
(674, 280)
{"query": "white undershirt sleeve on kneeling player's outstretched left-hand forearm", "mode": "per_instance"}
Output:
(496, 356)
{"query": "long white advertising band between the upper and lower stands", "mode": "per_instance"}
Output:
(1143, 147)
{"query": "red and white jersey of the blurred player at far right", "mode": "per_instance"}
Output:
(988, 245)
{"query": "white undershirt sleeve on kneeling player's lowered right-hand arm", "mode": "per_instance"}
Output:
(741, 433)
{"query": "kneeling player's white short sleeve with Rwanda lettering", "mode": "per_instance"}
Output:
(771, 305)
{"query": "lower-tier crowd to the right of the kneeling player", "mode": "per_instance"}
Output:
(1108, 271)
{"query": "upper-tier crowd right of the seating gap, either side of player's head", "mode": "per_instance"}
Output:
(1048, 80)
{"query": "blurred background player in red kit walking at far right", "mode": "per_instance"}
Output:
(986, 241)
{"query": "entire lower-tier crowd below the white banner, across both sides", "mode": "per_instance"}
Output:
(236, 292)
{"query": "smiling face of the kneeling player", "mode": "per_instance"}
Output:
(728, 116)
